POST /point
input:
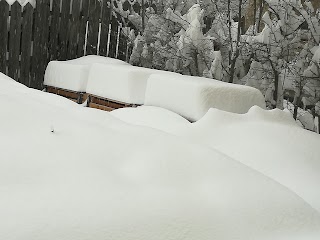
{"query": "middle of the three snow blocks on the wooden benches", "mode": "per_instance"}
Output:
(121, 83)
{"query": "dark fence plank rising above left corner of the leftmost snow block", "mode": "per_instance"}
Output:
(54, 30)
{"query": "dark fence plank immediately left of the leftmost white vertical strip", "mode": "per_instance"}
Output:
(83, 27)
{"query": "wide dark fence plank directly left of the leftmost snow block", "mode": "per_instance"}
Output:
(40, 44)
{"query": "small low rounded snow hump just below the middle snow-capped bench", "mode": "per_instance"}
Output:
(149, 116)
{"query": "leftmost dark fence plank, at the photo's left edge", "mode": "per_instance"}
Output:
(4, 16)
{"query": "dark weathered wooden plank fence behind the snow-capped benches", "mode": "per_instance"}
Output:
(30, 36)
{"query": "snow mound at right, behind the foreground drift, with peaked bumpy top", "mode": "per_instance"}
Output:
(267, 141)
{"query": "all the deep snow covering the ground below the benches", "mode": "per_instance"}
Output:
(74, 173)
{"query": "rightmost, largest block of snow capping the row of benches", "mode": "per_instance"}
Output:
(192, 97)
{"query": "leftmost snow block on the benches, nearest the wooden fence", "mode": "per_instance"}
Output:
(73, 74)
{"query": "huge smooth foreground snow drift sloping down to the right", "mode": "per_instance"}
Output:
(78, 173)
